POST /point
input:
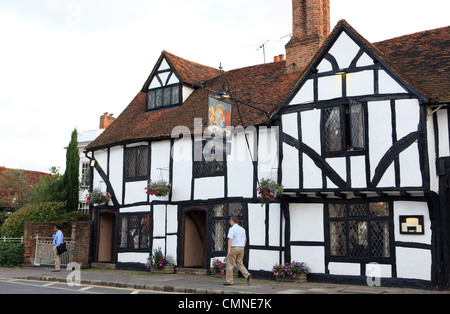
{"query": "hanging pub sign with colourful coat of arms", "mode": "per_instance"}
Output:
(219, 119)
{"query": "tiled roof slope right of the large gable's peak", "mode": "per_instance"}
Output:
(424, 59)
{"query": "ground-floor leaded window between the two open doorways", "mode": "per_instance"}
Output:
(134, 232)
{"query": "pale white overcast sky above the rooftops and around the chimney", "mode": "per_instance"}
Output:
(65, 62)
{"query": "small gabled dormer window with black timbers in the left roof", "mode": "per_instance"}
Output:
(165, 89)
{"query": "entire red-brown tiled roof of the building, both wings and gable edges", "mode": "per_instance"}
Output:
(421, 59)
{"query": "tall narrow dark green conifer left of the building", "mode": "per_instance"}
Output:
(71, 183)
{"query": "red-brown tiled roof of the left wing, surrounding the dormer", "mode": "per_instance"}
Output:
(268, 84)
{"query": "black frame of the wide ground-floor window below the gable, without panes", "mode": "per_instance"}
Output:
(369, 219)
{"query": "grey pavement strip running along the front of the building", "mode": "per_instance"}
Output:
(194, 284)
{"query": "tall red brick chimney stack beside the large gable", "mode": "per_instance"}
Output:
(311, 26)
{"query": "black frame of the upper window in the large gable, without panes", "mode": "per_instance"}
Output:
(347, 148)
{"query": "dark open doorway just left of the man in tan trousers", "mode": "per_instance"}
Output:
(193, 246)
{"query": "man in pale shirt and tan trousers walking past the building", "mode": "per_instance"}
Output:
(237, 240)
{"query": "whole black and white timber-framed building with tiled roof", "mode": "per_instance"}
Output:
(357, 133)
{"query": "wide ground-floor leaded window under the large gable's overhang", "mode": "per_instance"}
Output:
(359, 231)
